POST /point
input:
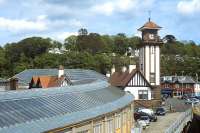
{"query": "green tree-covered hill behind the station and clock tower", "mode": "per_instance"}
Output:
(97, 52)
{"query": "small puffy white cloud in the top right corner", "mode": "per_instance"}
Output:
(188, 7)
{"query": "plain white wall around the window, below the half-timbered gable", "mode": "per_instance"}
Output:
(134, 91)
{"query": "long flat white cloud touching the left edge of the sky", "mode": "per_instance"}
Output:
(17, 25)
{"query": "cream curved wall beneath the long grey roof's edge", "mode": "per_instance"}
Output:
(121, 122)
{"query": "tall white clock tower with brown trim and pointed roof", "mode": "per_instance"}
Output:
(149, 52)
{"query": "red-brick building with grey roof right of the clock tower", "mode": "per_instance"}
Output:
(177, 85)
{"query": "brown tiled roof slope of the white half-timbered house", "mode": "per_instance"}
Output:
(121, 79)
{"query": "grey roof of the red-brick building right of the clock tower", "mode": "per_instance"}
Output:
(177, 79)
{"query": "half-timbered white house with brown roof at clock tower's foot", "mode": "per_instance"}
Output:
(133, 81)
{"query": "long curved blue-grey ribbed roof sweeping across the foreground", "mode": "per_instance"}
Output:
(39, 110)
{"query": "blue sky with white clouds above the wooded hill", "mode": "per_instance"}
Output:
(59, 19)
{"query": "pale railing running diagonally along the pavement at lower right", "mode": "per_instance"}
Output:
(180, 120)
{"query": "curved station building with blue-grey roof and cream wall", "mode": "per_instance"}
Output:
(89, 105)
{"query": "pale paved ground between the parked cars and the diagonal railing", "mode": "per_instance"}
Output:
(162, 123)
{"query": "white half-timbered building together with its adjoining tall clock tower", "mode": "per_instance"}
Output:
(143, 82)
